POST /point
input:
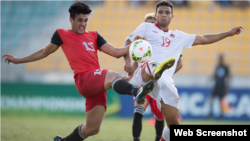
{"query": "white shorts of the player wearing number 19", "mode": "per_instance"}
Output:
(164, 89)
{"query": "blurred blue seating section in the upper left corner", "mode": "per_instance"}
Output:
(21, 15)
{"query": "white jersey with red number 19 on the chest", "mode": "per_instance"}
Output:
(165, 45)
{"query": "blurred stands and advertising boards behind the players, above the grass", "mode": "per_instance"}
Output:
(46, 87)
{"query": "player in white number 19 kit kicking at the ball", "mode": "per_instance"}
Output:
(168, 44)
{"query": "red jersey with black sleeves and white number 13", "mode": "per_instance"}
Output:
(79, 49)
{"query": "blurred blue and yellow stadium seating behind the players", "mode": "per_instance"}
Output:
(115, 20)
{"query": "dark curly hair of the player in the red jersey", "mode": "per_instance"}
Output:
(79, 8)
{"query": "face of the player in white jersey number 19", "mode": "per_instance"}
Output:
(163, 16)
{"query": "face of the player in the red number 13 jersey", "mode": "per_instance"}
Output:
(79, 24)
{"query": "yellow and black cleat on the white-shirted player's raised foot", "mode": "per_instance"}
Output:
(162, 67)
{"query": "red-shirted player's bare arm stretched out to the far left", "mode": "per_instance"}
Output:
(38, 55)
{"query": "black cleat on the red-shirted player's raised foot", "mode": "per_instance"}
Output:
(143, 91)
